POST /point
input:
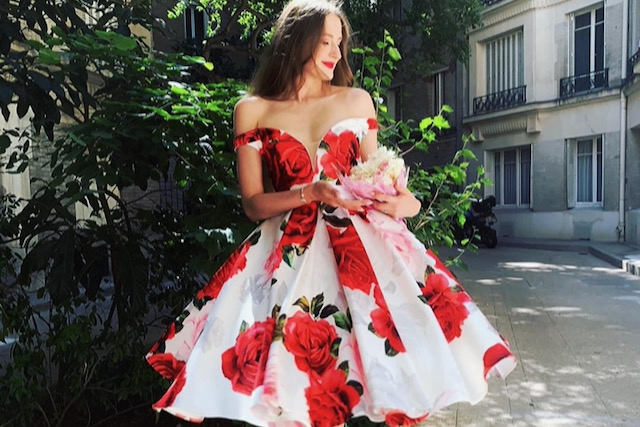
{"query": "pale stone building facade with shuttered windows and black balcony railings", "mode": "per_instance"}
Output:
(552, 96)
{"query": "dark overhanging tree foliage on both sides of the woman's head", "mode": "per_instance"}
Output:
(431, 32)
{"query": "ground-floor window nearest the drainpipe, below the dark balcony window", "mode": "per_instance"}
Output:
(584, 171)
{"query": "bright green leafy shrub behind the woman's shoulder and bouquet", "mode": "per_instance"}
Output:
(446, 191)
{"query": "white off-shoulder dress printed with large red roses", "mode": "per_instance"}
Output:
(321, 315)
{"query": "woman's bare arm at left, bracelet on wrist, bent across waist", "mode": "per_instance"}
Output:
(259, 204)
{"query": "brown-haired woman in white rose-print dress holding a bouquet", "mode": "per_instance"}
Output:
(331, 308)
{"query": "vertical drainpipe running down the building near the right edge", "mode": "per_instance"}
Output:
(620, 229)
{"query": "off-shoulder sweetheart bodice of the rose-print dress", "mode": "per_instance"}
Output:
(289, 162)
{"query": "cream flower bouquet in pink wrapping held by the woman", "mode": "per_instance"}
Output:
(379, 174)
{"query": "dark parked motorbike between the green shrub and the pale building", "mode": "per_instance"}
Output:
(479, 220)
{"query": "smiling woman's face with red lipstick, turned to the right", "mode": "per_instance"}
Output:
(327, 53)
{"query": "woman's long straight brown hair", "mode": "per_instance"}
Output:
(297, 33)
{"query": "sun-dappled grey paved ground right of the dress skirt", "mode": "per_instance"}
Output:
(573, 322)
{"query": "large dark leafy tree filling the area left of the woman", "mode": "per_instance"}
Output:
(133, 119)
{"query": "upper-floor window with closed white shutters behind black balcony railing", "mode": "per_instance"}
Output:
(505, 63)
